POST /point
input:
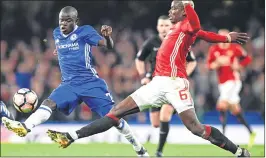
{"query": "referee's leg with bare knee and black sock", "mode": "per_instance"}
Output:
(165, 116)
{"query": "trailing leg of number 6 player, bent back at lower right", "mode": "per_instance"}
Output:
(210, 133)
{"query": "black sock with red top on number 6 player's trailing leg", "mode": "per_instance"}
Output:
(217, 138)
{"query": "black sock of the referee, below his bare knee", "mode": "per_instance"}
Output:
(164, 130)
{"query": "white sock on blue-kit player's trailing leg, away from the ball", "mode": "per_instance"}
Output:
(124, 129)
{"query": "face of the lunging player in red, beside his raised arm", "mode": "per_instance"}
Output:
(176, 13)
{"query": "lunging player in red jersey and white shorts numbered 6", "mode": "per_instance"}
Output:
(169, 85)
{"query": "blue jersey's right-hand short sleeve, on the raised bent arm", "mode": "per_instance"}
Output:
(91, 36)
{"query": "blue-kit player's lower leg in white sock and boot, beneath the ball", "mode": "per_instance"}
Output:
(41, 115)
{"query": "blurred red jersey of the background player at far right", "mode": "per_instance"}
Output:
(226, 73)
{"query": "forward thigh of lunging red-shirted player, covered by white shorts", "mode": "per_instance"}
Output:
(148, 95)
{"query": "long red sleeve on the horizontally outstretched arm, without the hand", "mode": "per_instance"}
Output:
(211, 37)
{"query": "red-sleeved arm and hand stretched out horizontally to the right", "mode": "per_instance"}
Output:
(216, 38)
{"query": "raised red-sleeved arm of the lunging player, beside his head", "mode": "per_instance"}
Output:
(192, 17)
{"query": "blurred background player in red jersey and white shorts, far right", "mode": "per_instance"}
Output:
(227, 59)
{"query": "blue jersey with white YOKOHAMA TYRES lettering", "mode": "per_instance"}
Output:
(74, 53)
